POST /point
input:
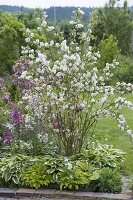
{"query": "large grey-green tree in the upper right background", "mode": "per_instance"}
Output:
(114, 20)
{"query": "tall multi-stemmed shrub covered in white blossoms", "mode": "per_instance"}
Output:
(63, 94)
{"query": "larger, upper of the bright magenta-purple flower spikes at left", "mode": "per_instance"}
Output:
(16, 116)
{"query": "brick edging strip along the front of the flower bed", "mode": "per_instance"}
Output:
(52, 193)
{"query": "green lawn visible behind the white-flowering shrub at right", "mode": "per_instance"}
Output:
(108, 132)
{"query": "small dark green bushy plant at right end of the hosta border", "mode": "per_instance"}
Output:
(110, 181)
